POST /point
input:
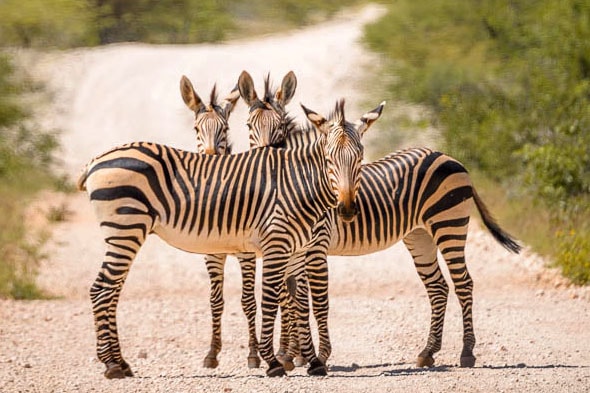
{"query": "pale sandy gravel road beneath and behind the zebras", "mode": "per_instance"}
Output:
(532, 327)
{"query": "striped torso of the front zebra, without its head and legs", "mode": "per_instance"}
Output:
(188, 195)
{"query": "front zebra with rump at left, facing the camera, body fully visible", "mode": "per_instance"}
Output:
(270, 201)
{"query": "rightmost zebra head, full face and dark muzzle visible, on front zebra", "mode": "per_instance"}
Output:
(344, 154)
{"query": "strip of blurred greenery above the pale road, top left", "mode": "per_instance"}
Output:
(72, 23)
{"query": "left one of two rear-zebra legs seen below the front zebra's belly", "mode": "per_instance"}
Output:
(215, 267)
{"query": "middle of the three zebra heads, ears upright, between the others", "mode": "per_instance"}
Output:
(268, 122)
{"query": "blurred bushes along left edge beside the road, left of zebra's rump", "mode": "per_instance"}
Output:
(25, 160)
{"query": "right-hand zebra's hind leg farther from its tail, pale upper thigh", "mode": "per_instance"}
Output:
(423, 251)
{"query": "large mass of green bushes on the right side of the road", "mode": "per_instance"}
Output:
(508, 84)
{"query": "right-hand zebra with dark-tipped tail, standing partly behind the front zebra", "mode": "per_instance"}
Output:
(420, 196)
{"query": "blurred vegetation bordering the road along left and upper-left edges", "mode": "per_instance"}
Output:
(27, 152)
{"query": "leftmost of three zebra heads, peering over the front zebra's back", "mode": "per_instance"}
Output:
(211, 121)
